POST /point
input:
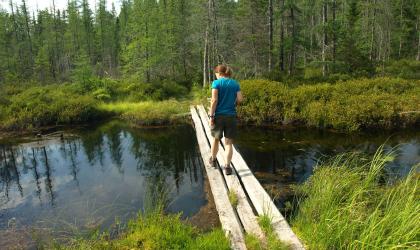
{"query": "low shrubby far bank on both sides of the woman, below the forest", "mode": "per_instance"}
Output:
(345, 105)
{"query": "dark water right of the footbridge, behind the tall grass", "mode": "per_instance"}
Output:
(282, 158)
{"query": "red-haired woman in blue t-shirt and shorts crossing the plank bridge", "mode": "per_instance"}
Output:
(225, 96)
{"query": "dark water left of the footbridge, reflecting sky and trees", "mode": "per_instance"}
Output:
(97, 175)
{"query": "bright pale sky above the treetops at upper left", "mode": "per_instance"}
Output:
(59, 4)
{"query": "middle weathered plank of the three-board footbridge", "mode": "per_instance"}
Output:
(244, 209)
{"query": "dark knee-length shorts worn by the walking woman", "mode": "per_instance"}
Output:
(224, 125)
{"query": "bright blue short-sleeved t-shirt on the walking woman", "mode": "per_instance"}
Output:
(227, 90)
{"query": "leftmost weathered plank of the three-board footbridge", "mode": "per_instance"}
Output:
(227, 216)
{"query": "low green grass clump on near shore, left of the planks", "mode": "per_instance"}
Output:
(157, 231)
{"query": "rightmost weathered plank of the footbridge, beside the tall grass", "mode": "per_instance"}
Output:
(262, 202)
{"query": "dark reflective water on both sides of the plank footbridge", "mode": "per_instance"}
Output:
(95, 175)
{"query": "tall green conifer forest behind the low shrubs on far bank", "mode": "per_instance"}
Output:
(151, 40)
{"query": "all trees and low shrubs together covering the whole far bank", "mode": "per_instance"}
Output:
(130, 62)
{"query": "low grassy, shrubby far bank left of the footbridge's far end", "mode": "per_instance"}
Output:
(27, 106)
